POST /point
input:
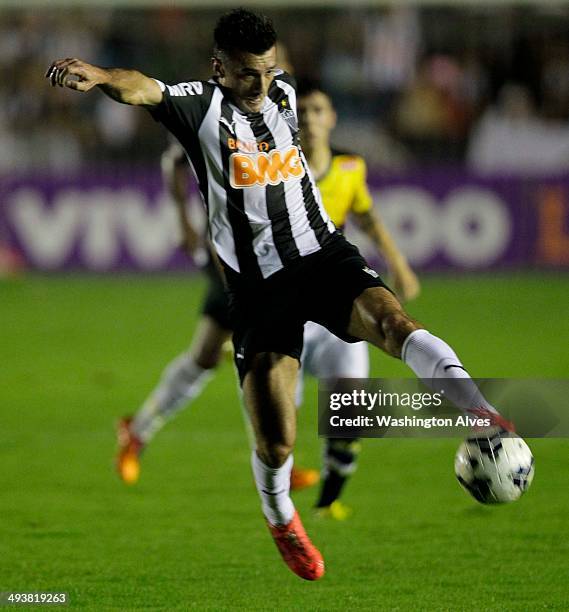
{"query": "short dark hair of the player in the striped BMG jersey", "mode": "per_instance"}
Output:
(243, 30)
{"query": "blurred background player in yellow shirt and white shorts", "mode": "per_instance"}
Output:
(341, 178)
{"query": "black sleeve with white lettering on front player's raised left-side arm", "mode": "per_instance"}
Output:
(183, 106)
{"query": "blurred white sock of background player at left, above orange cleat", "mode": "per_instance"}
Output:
(181, 382)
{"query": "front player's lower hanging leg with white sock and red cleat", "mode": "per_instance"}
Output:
(268, 392)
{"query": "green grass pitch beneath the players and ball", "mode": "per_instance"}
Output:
(78, 352)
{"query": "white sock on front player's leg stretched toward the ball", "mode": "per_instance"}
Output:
(432, 358)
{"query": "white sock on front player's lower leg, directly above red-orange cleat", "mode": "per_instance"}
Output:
(273, 485)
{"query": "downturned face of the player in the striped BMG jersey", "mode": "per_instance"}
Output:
(248, 76)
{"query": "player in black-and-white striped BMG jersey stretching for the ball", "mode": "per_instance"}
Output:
(284, 261)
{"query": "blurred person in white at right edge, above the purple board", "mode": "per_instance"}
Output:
(511, 137)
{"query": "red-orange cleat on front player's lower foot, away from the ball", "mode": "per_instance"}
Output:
(296, 549)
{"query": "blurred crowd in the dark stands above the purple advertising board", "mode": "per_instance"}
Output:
(390, 101)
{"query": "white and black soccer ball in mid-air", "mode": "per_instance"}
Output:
(494, 469)
